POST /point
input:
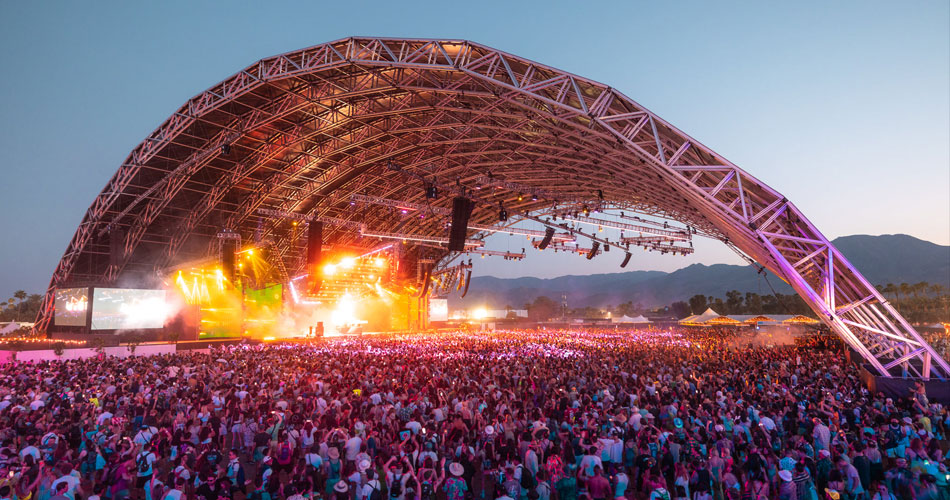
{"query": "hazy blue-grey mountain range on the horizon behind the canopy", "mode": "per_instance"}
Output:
(881, 259)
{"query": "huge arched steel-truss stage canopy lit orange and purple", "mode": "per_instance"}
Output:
(302, 133)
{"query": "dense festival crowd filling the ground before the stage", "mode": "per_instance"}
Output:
(507, 416)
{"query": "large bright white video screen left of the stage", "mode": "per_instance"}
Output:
(127, 309)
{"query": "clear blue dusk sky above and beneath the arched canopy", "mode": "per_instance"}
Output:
(844, 107)
